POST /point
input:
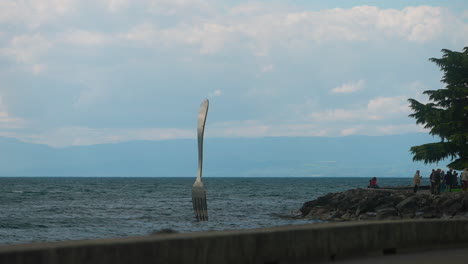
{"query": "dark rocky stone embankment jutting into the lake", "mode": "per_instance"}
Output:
(386, 204)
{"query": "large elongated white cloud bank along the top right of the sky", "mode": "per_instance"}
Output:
(258, 28)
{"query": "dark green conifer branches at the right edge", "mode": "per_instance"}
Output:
(446, 114)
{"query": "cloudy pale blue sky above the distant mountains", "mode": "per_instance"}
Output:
(83, 72)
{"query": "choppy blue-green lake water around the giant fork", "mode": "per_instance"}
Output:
(54, 209)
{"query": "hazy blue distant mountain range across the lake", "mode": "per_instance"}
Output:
(350, 156)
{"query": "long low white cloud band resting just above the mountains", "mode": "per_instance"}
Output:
(80, 136)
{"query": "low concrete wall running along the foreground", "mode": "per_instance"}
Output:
(287, 244)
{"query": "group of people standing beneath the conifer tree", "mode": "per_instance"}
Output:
(441, 180)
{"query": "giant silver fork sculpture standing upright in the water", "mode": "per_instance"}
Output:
(198, 192)
